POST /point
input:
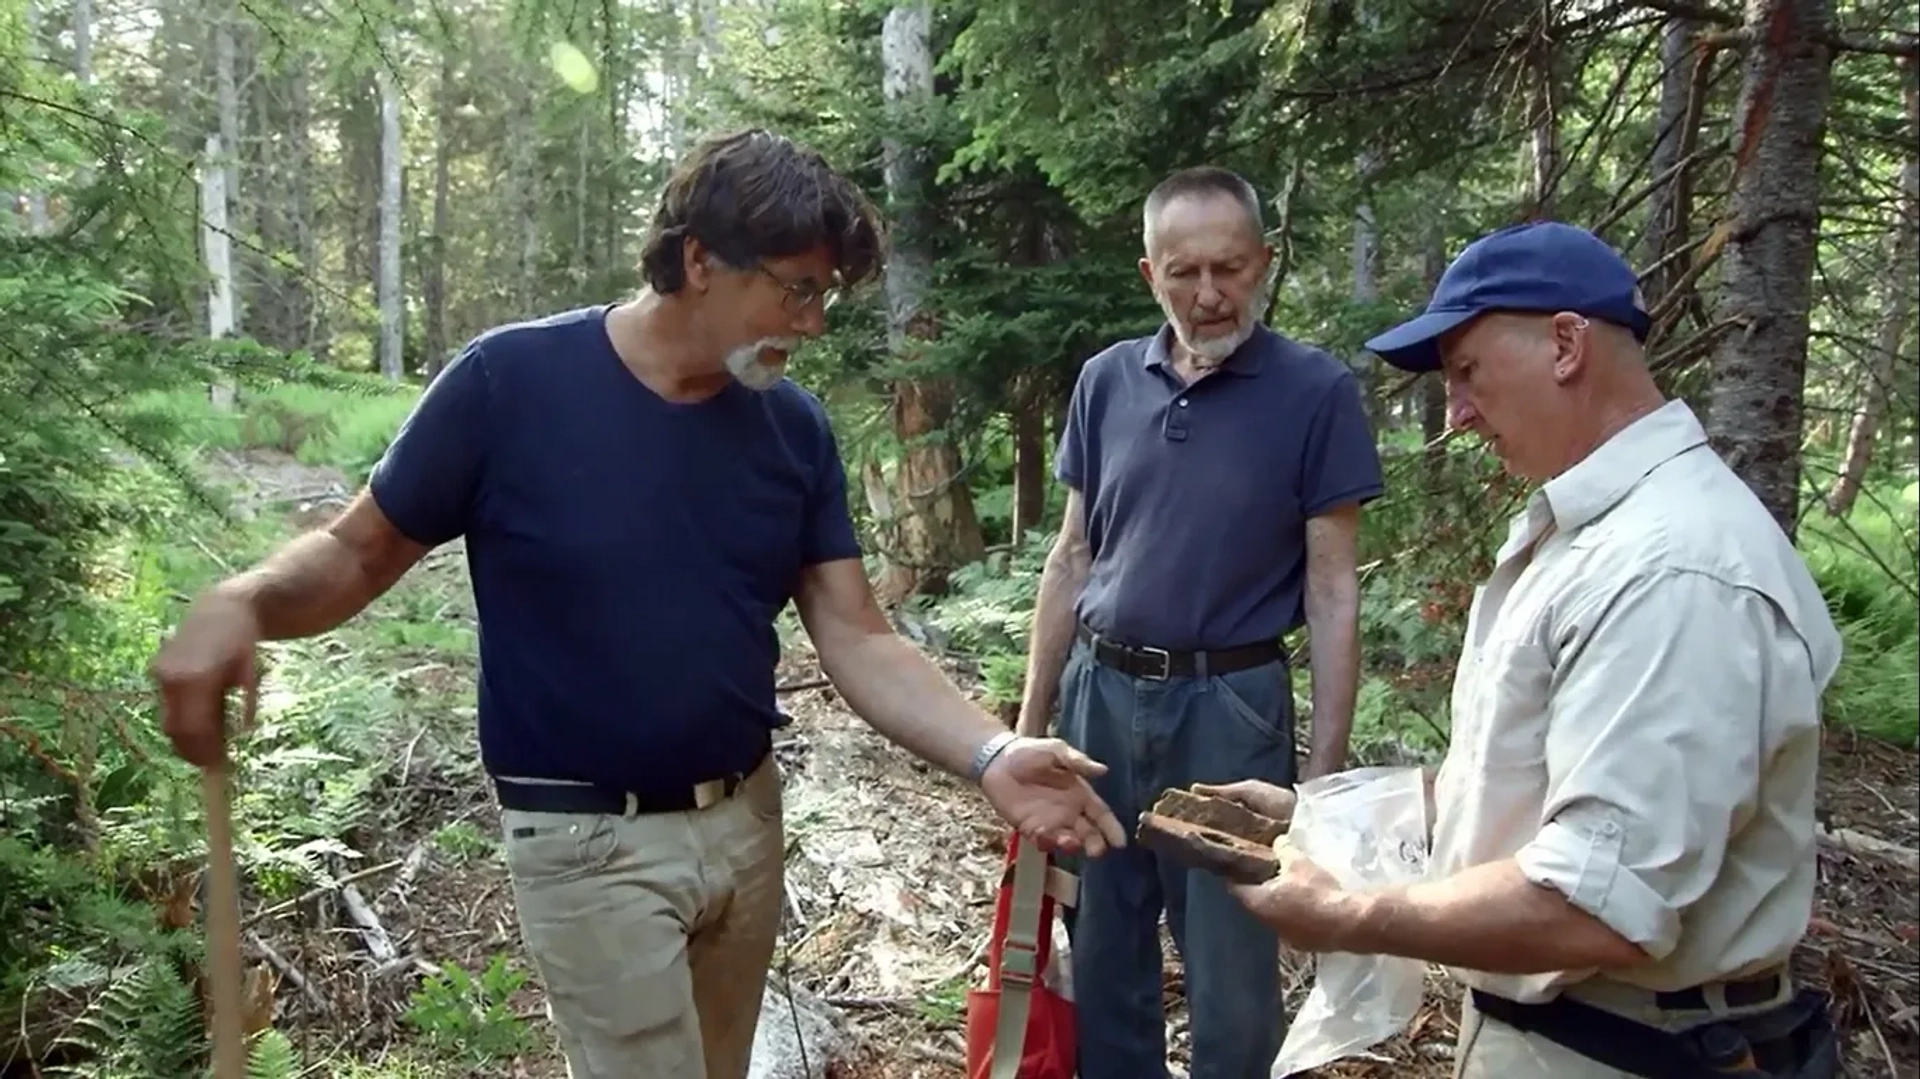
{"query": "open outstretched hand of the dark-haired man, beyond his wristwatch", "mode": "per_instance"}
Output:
(1042, 788)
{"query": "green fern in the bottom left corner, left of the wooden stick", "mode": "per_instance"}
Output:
(143, 1026)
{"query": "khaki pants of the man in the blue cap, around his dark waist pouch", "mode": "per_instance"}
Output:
(1491, 1049)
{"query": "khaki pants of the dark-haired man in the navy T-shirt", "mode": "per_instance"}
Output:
(654, 934)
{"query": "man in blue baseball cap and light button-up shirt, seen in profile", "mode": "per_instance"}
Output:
(1623, 848)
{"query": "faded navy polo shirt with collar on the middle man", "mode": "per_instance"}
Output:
(1197, 496)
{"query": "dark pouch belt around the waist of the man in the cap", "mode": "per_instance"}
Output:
(1792, 1042)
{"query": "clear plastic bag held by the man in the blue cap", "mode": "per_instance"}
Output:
(1370, 830)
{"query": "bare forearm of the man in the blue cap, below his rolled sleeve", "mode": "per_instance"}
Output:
(1485, 919)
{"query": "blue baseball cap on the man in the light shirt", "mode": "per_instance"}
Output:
(1543, 266)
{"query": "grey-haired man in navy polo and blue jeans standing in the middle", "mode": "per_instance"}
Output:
(1214, 485)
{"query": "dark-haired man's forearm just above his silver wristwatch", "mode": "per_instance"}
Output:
(907, 700)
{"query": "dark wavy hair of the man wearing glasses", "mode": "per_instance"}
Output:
(752, 197)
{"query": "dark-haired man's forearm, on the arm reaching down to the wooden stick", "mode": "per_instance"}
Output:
(306, 588)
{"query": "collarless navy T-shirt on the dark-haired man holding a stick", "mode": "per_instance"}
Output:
(629, 554)
